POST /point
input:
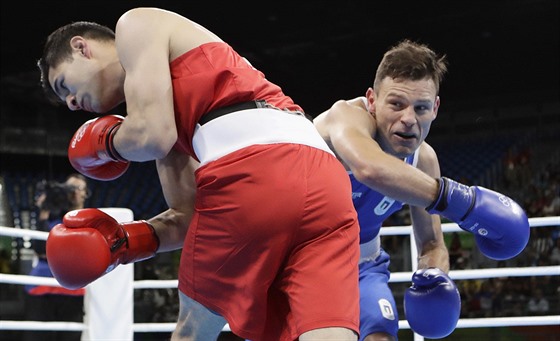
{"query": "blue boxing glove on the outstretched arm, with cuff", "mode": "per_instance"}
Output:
(500, 225)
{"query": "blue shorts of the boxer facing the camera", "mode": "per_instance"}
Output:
(378, 311)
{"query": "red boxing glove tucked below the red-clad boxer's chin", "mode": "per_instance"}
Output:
(91, 151)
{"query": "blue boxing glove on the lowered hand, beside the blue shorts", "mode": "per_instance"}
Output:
(432, 304)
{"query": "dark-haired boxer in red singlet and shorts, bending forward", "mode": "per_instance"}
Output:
(257, 200)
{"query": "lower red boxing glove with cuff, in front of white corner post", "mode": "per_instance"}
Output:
(89, 244)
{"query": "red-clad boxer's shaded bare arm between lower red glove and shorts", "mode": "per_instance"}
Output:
(176, 173)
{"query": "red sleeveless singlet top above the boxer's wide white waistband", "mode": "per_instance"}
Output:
(212, 76)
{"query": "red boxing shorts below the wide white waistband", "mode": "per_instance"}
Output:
(273, 245)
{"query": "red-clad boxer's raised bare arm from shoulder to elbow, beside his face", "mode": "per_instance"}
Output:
(148, 132)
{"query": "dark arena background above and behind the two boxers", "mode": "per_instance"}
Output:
(498, 124)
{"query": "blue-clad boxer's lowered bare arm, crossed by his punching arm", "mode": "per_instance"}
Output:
(428, 235)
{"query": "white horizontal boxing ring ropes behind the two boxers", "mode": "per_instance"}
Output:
(395, 277)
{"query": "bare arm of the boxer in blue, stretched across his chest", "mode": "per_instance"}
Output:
(349, 129)
